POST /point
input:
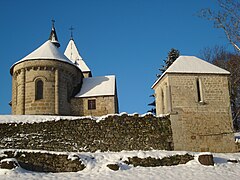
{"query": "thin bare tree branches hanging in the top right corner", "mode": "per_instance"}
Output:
(227, 18)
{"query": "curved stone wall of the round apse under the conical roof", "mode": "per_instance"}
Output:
(59, 81)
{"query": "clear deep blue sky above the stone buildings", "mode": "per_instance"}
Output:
(128, 38)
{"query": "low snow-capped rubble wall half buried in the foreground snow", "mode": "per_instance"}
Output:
(50, 161)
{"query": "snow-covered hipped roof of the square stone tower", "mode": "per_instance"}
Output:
(192, 64)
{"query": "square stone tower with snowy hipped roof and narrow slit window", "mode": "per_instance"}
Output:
(196, 95)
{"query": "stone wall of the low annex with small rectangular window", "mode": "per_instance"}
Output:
(104, 105)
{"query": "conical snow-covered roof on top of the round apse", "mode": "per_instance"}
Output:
(46, 51)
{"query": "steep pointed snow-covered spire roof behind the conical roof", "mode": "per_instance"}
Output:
(72, 53)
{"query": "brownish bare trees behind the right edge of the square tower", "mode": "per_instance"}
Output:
(229, 61)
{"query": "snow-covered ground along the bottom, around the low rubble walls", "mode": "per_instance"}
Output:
(96, 169)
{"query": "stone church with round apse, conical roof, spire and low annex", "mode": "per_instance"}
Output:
(49, 82)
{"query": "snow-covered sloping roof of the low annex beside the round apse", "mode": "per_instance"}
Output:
(98, 86)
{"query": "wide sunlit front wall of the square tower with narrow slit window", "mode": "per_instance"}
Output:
(205, 125)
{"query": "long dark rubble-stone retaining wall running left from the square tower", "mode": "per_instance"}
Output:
(115, 133)
